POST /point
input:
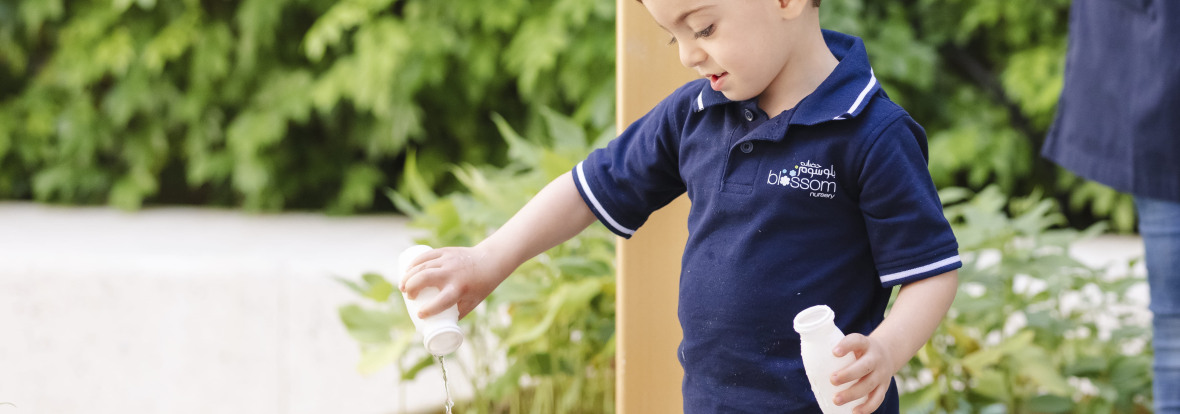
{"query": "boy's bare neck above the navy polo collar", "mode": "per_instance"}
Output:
(801, 76)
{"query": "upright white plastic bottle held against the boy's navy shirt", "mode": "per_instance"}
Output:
(818, 337)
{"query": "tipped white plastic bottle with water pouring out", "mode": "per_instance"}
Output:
(441, 332)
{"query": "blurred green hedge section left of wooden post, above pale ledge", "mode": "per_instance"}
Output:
(272, 104)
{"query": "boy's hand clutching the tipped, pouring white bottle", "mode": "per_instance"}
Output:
(463, 275)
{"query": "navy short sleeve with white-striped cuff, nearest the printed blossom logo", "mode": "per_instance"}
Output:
(909, 236)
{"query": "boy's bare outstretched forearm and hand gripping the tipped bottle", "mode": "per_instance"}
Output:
(468, 275)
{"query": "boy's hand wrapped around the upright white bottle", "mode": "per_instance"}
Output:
(871, 374)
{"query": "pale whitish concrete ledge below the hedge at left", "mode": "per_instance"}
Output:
(191, 311)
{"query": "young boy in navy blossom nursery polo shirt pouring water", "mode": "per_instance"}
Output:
(808, 187)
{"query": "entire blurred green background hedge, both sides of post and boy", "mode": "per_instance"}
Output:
(314, 104)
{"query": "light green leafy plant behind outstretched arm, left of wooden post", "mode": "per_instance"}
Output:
(545, 341)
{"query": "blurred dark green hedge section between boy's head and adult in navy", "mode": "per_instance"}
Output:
(984, 78)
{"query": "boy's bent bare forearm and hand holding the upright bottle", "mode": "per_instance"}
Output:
(919, 310)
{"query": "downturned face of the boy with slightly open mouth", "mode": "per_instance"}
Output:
(742, 47)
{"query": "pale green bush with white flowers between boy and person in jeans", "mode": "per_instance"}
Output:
(1032, 331)
